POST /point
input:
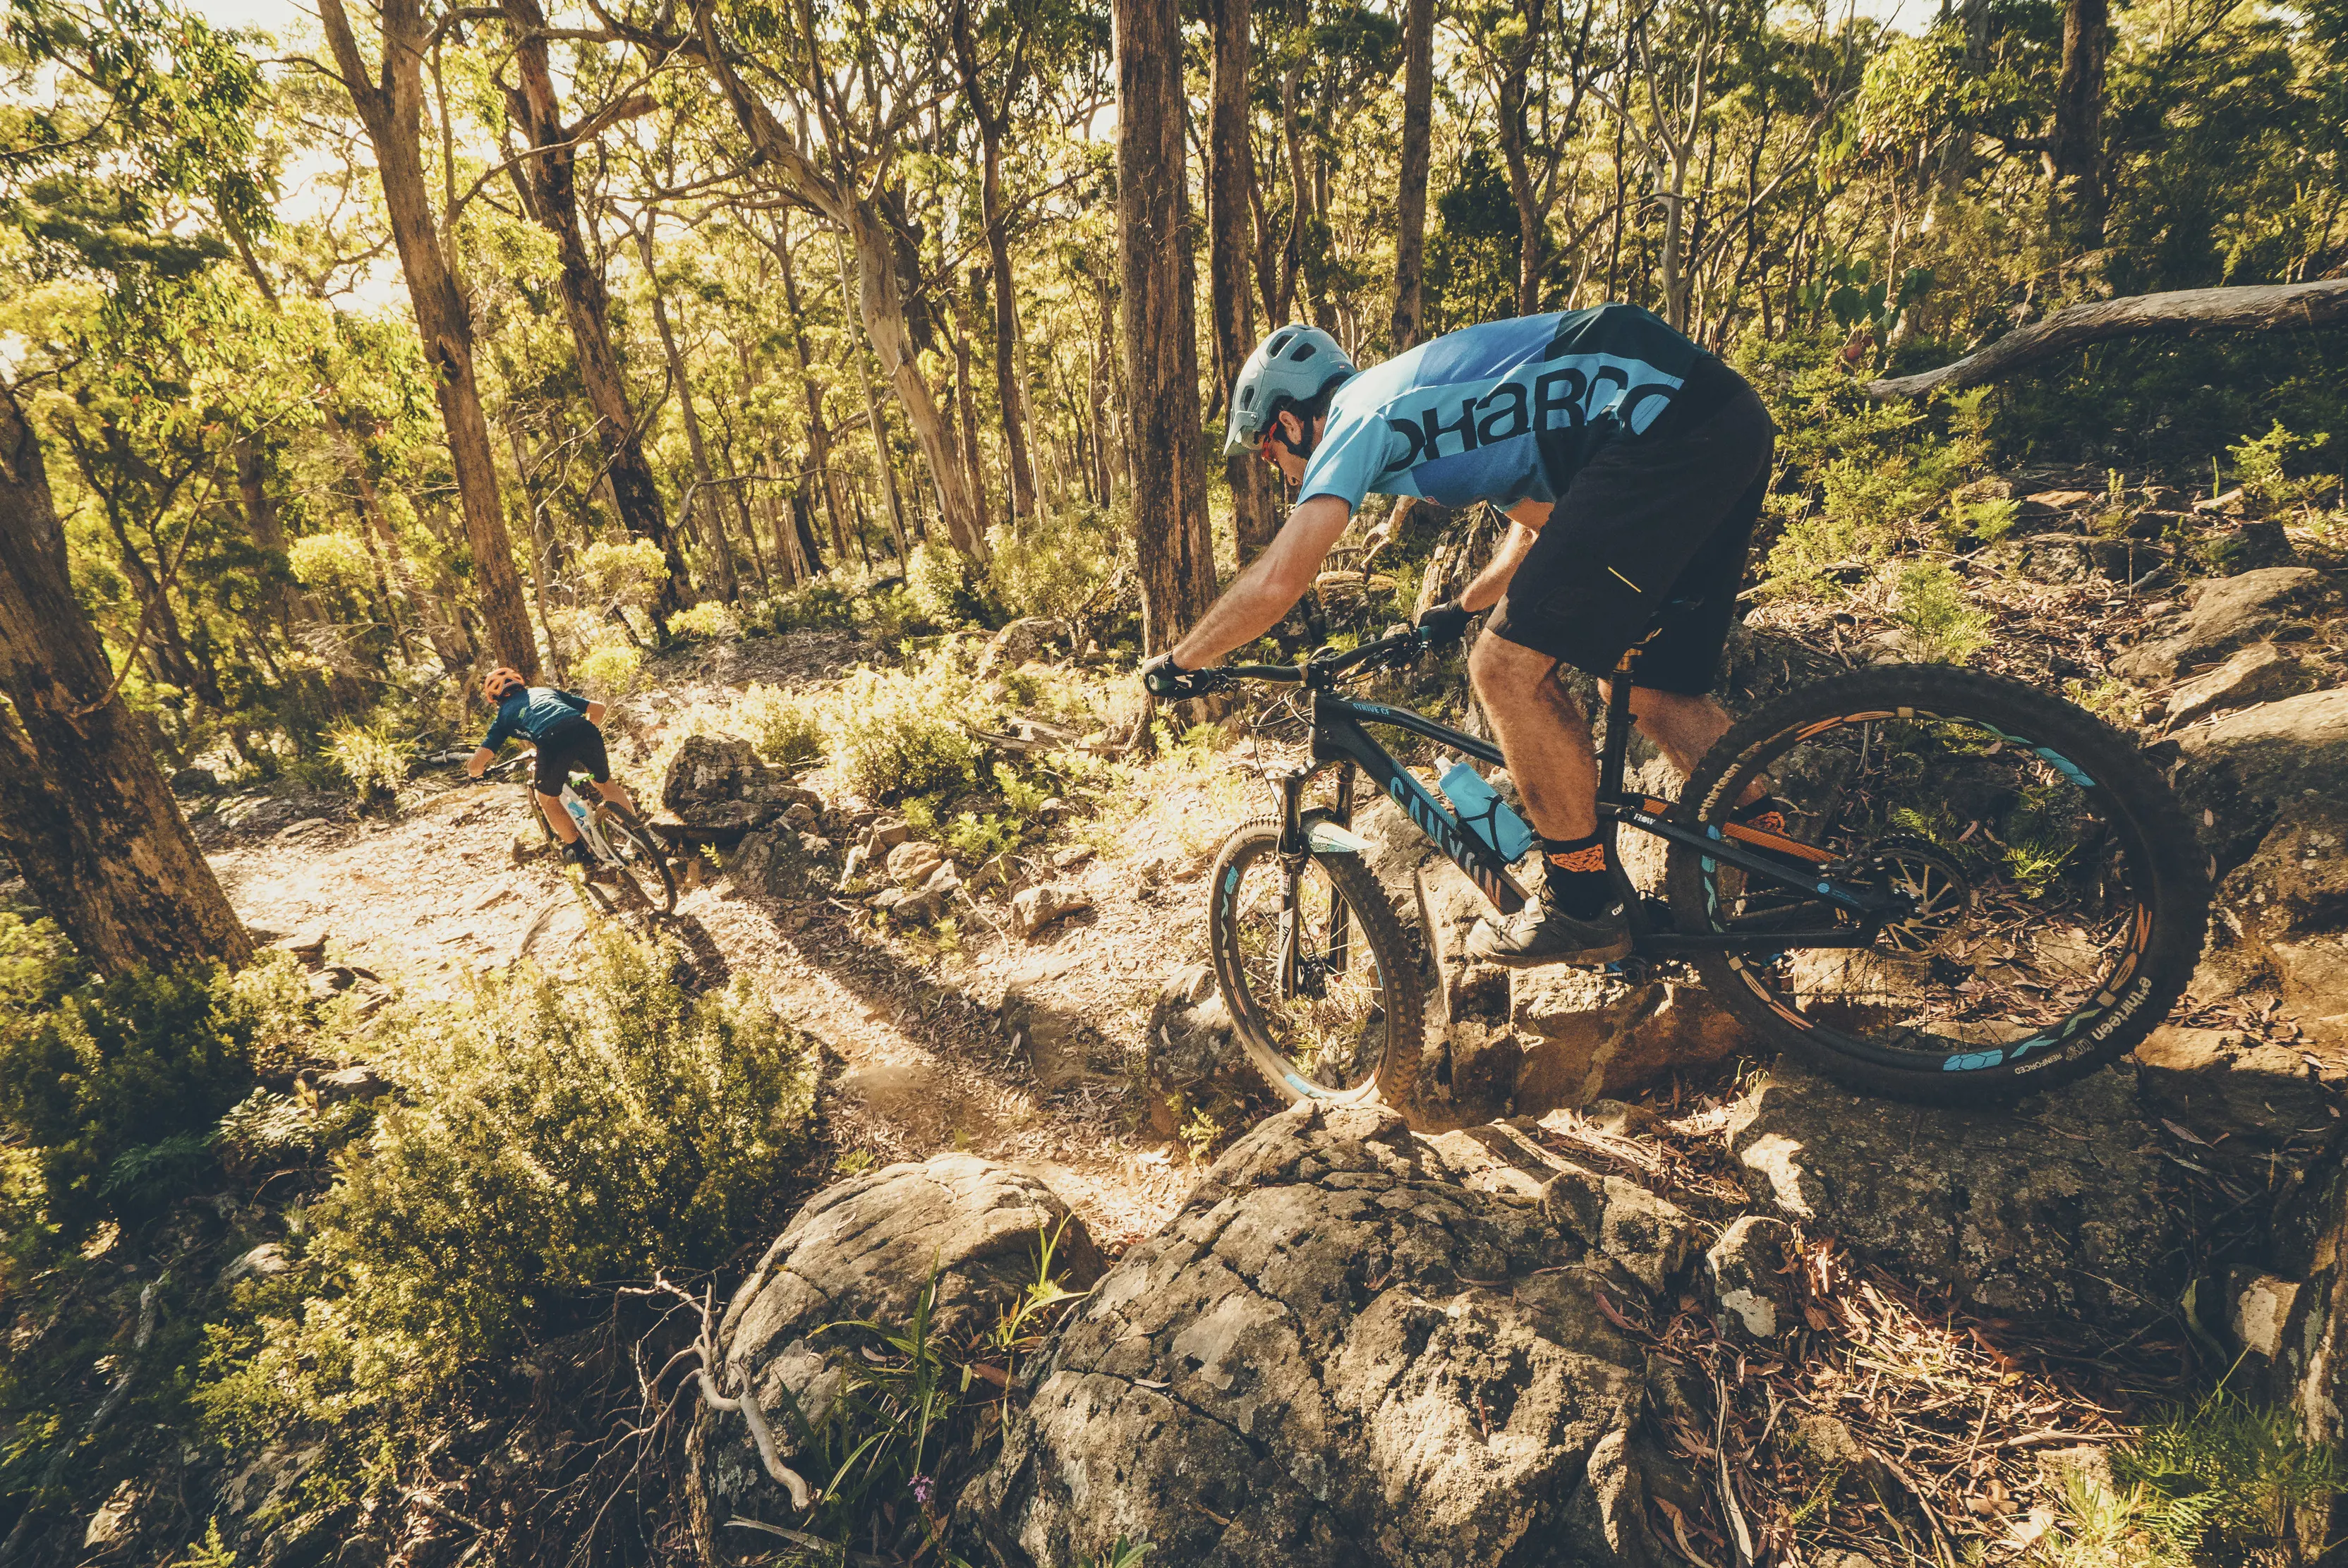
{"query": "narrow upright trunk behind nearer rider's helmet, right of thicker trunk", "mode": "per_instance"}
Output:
(1229, 224)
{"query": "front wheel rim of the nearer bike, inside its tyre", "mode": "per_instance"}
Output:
(1304, 985)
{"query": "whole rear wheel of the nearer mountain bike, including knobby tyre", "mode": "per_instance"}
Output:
(2049, 895)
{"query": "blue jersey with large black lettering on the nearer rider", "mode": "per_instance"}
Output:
(1502, 412)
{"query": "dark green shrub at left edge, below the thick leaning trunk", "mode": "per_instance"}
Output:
(119, 1083)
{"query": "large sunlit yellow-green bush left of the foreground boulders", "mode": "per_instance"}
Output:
(560, 1135)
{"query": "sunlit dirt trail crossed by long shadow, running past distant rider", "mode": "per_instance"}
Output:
(929, 1060)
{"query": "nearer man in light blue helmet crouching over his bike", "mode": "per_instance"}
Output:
(1631, 466)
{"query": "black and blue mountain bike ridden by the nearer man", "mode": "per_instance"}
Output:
(1981, 891)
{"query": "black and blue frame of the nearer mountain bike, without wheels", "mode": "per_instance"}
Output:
(1342, 741)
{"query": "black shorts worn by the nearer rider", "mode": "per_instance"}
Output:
(1649, 522)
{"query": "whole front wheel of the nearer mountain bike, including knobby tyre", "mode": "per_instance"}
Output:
(1316, 971)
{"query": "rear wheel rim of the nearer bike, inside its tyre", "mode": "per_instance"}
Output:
(2027, 893)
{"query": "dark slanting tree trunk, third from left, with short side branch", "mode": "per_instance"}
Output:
(553, 187)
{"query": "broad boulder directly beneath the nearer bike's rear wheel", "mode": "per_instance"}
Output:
(2051, 1208)
